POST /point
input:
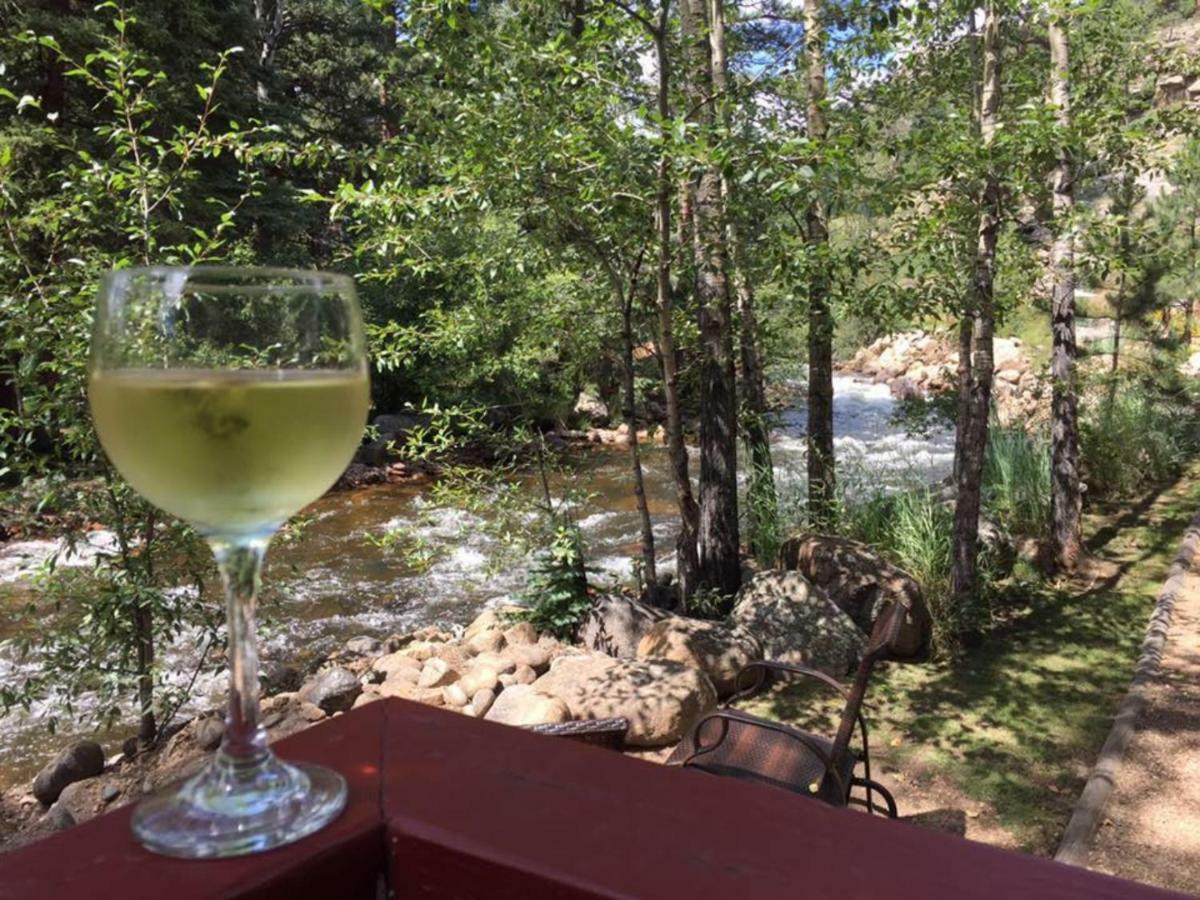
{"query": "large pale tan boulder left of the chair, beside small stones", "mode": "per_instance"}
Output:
(662, 699)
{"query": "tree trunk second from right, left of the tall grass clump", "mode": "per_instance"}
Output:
(974, 442)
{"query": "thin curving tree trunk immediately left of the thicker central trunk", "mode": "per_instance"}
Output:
(687, 559)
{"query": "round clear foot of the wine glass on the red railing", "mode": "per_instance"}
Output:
(232, 809)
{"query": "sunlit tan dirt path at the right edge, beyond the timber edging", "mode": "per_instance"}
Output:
(1151, 832)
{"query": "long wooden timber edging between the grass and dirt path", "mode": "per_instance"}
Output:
(1085, 819)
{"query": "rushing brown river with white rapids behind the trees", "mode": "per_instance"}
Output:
(333, 584)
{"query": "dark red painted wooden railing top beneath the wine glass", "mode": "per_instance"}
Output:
(449, 807)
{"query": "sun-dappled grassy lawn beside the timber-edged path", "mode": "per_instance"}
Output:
(1010, 731)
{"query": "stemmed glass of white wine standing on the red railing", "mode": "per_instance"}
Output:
(232, 398)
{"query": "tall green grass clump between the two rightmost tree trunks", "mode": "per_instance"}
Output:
(1017, 482)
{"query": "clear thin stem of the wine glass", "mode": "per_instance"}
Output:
(241, 562)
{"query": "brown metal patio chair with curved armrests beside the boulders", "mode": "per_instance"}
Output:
(730, 742)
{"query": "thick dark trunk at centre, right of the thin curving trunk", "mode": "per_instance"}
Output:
(718, 545)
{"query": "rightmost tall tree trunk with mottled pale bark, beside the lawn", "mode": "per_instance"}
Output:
(1066, 497)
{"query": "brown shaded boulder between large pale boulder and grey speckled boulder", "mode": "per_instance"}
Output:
(717, 649)
